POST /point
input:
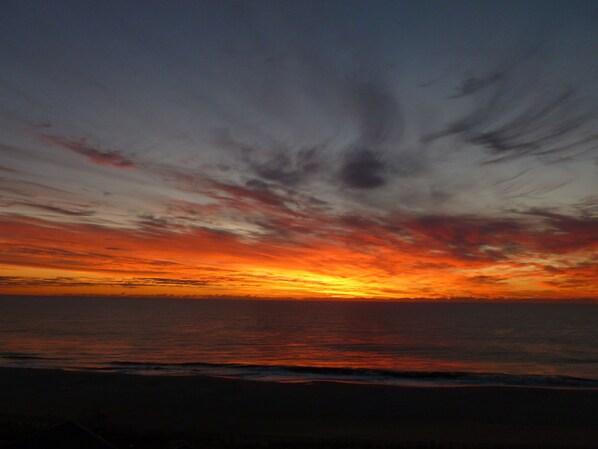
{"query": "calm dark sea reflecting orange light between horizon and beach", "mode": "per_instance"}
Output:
(551, 345)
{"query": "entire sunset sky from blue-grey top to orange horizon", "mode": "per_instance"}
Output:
(338, 149)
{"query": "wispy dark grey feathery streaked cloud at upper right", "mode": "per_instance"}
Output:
(513, 117)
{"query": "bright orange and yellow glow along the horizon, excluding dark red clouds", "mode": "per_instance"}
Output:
(46, 258)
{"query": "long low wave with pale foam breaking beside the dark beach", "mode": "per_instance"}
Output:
(290, 373)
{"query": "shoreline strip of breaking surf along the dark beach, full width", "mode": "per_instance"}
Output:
(308, 374)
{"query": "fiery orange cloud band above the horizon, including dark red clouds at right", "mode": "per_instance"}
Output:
(348, 256)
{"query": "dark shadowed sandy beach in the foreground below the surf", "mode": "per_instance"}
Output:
(144, 411)
